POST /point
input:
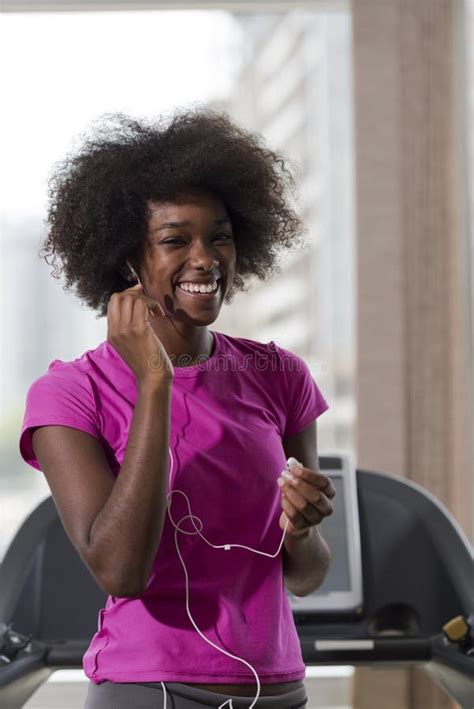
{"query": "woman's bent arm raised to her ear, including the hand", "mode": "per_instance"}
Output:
(116, 525)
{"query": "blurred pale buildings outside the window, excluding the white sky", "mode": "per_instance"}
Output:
(292, 85)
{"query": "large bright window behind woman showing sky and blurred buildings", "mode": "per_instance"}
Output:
(284, 74)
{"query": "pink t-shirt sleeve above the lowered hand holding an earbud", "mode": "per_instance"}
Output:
(304, 400)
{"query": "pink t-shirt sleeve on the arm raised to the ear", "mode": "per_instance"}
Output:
(62, 396)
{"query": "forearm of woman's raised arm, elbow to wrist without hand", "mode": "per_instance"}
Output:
(126, 533)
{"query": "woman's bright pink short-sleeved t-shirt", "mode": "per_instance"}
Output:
(229, 415)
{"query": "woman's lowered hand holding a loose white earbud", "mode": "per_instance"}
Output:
(305, 500)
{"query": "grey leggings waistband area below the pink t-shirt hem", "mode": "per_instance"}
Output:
(149, 695)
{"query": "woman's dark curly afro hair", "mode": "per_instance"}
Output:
(98, 213)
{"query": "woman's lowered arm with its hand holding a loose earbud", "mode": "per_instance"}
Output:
(305, 503)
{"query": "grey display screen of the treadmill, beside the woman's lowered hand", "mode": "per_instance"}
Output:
(334, 531)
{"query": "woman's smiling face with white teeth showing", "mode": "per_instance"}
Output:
(189, 241)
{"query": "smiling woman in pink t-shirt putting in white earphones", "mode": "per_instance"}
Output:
(195, 203)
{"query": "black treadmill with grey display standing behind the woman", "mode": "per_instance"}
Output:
(399, 593)
